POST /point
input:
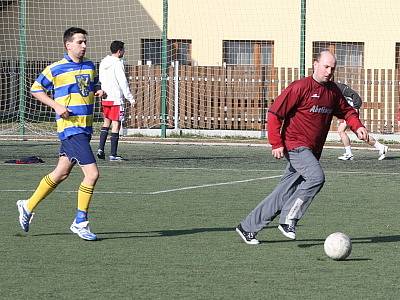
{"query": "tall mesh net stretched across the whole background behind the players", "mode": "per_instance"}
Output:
(202, 65)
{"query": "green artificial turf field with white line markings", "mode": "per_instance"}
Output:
(165, 221)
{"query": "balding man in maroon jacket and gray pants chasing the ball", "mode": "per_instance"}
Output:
(298, 123)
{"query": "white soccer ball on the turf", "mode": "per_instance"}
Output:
(337, 246)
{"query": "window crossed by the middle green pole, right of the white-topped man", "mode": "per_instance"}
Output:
(177, 50)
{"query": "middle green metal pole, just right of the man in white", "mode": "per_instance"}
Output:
(164, 71)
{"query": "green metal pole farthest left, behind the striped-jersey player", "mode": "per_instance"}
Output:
(22, 57)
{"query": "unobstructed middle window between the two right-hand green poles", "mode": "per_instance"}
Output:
(248, 52)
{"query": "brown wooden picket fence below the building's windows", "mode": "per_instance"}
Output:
(238, 97)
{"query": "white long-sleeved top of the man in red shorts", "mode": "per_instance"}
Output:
(113, 80)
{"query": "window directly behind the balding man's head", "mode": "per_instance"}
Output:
(348, 54)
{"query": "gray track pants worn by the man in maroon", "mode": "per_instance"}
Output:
(302, 180)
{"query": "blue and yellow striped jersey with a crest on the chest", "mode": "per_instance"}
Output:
(72, 85)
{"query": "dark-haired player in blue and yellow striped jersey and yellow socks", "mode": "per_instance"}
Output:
(72, 81)
